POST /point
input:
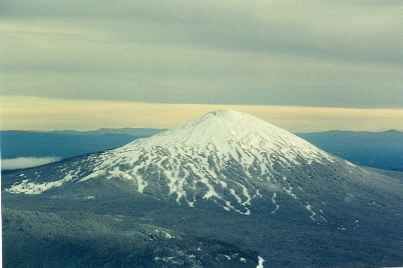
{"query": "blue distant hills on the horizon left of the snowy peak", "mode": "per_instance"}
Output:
(67, 143)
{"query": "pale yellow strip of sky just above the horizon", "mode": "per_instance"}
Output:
(33, 113)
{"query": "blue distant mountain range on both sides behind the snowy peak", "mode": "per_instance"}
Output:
(382, 150)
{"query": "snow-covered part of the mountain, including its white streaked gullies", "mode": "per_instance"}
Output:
(226, 157)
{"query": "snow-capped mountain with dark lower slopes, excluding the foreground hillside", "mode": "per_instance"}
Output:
(231, 177)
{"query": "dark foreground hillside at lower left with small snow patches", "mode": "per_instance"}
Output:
(83, 239)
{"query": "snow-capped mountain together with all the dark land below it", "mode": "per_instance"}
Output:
(224, 190)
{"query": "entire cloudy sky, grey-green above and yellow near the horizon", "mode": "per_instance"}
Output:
(302, 65)
